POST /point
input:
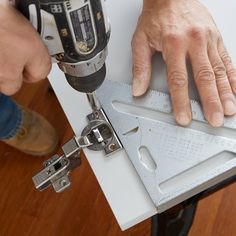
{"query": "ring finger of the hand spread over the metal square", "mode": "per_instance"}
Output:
(227, 98)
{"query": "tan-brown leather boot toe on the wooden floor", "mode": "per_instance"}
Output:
(36, 136)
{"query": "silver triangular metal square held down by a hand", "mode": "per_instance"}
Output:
(173, 162)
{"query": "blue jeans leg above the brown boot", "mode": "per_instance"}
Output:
(10, 117)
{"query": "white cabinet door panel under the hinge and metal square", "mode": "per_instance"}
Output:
(117, 177)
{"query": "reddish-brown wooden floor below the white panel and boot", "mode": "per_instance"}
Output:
(82, 209)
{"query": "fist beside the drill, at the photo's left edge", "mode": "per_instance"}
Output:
(23, 56)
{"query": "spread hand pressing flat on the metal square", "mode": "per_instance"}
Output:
(182, 30)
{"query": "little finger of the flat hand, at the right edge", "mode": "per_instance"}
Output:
(230, 69)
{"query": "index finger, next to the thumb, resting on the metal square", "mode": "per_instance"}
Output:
(178, 85)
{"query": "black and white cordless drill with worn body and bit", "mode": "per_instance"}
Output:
(76, 33)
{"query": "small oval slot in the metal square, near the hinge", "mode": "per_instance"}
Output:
(146, 159)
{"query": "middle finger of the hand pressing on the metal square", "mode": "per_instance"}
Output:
(206, 84)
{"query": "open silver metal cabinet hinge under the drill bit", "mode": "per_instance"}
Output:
(97, 135)
